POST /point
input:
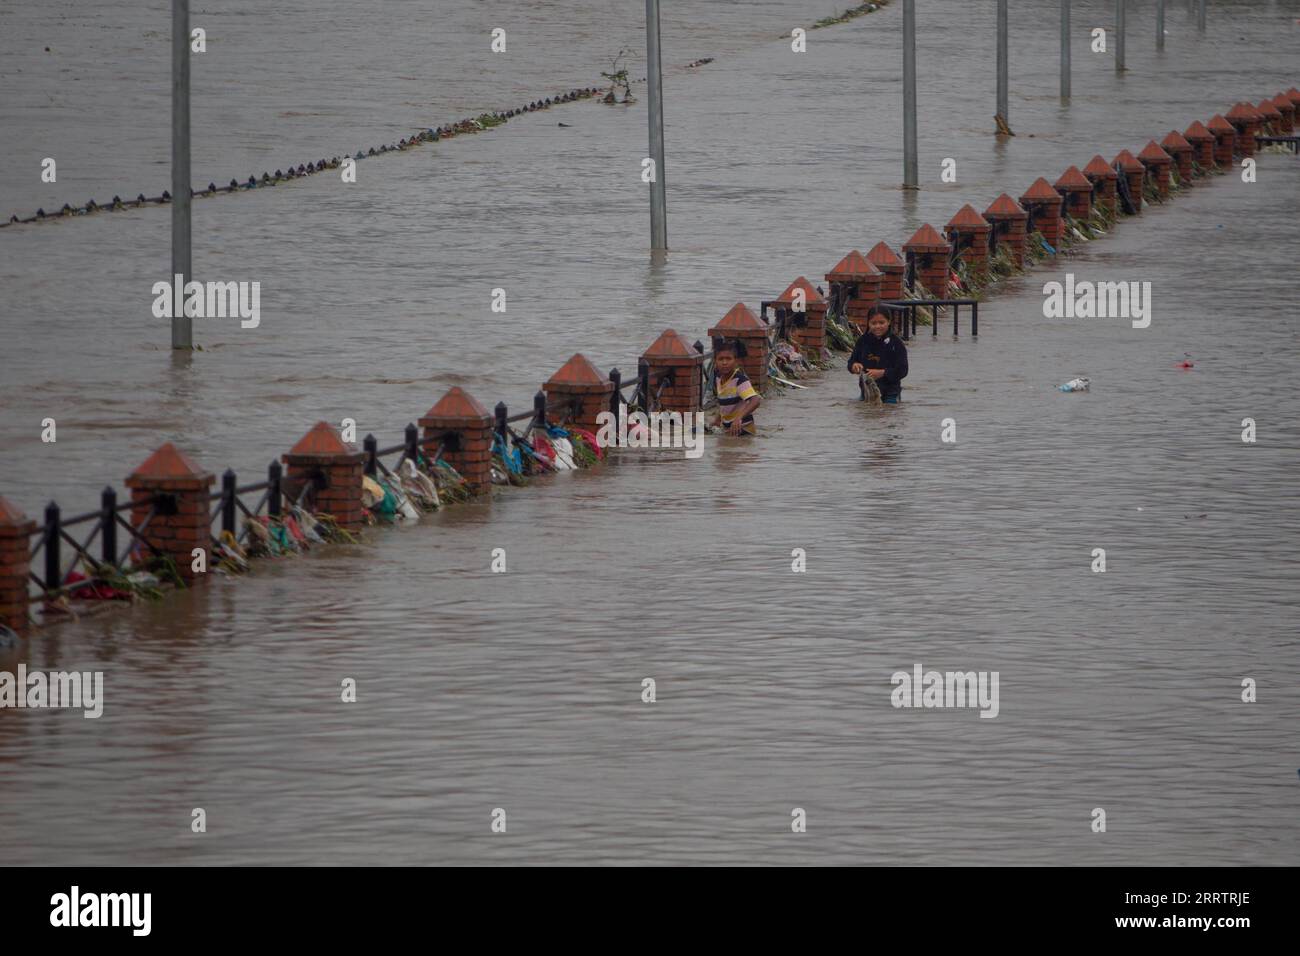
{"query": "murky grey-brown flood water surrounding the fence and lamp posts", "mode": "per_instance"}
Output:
(523, 690)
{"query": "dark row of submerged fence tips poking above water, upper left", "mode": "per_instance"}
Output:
(478, 124)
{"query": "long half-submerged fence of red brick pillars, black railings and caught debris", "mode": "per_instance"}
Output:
(180, 527)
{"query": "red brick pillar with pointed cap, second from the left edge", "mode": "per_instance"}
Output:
(183, 521)
